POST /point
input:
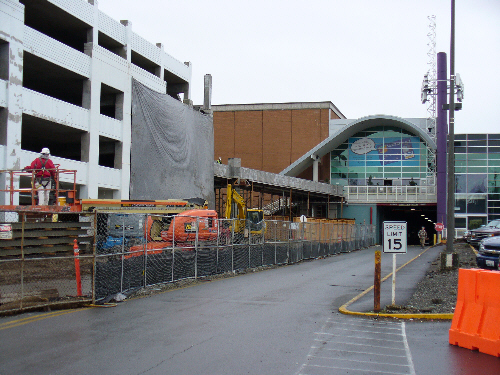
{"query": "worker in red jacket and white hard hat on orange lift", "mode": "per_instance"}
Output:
(45, 172)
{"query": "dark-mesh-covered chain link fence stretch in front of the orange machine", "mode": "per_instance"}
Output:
(135, 251)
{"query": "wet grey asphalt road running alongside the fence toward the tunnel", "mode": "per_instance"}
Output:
(281, 321)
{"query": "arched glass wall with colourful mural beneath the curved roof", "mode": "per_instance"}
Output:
(382, 155)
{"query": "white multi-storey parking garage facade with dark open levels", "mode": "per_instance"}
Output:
(66, 72)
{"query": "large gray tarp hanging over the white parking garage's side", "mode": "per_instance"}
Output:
(172, 152)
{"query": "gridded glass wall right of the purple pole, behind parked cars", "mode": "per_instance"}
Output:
(477, 179)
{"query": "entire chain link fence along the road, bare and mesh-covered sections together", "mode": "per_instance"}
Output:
(120, 253)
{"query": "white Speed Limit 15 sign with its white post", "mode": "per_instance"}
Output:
(394, 241)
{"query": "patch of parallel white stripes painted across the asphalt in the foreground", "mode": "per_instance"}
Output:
(344, 346)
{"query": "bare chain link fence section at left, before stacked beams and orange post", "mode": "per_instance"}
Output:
(38, 266)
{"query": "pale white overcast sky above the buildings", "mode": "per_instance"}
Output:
(365, 56)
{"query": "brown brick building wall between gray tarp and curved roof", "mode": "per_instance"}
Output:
(271, 137)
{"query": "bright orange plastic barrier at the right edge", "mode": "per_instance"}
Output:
(475, 323)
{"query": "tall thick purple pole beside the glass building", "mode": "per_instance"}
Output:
(441, 135)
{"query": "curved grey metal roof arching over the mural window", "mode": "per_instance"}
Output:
(335, 140)
